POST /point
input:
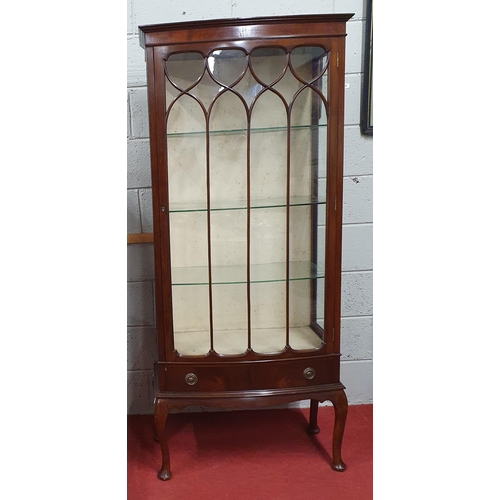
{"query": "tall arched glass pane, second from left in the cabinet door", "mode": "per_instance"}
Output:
(228, 229)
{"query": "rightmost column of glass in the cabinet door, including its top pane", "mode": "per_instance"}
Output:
(307, 178)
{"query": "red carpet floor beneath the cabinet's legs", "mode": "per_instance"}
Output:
(251, 455)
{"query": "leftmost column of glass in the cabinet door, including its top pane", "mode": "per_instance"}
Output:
(186, 164)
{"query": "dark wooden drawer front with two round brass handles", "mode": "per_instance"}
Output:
(249, 375)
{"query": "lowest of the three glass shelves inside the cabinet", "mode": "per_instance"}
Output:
(259, 273)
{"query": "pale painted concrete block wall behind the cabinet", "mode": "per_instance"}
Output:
(357, 276)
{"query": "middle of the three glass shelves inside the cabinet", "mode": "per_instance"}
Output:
(201, 206)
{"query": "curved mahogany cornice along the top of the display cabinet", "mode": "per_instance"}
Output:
(243, 28)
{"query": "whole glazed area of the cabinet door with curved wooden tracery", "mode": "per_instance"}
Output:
(246, 136)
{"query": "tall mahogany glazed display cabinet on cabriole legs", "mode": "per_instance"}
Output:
(246, 132)
